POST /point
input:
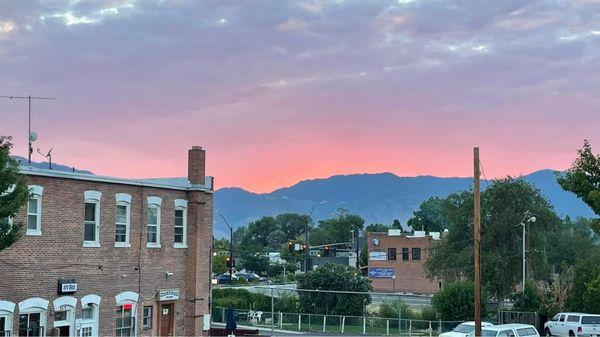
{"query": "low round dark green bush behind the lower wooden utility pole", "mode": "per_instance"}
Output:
(455, 302)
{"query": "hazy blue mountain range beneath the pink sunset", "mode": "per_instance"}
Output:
(378, 198)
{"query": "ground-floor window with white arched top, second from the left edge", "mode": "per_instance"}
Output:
(32, 317)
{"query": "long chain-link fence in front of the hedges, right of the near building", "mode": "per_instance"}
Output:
(282, 310)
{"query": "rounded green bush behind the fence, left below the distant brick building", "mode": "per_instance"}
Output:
(334, 277)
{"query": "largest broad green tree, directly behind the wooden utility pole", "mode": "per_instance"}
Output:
(504, 204)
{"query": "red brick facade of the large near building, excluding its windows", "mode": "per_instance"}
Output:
(32, 266)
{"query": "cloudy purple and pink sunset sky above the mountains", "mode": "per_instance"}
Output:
(281, 91)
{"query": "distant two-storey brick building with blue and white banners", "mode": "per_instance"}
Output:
(396, 262)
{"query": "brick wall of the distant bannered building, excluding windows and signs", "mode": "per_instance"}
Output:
(410, 275)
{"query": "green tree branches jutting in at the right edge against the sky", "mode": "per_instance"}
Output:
(583, 179)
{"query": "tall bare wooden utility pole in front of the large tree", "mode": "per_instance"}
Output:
(477, 242)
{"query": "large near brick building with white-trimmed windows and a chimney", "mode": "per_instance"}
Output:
(106, 256)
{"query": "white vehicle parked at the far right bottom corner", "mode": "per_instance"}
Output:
(573, 324)
